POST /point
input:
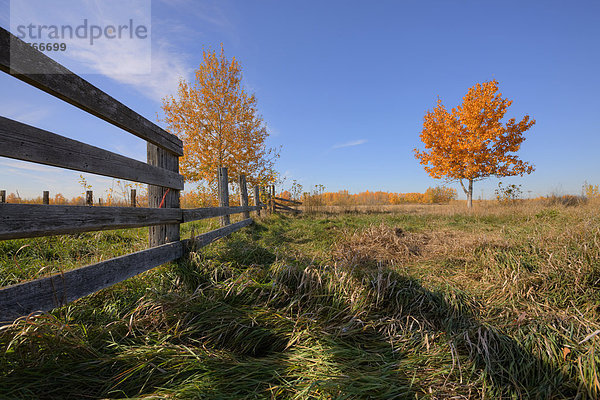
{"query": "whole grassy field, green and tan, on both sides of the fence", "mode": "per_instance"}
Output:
(422, 302)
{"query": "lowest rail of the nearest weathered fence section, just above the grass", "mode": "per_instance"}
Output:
(44, 294)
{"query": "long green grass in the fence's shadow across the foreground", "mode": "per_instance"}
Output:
(247, 327)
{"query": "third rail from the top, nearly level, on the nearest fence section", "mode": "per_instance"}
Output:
(32, 220)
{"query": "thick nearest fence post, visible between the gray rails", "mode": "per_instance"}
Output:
(159, 196)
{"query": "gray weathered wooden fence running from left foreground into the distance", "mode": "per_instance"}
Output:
(161, 172)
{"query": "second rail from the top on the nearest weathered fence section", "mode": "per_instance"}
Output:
(24, 142)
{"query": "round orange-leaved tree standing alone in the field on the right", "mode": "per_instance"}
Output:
(470, 142)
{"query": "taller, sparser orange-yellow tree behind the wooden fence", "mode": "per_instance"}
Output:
(219, 125)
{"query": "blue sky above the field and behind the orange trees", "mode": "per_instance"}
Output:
(344, 85)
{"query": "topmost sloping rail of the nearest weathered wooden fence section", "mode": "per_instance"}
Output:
(18, 58)
